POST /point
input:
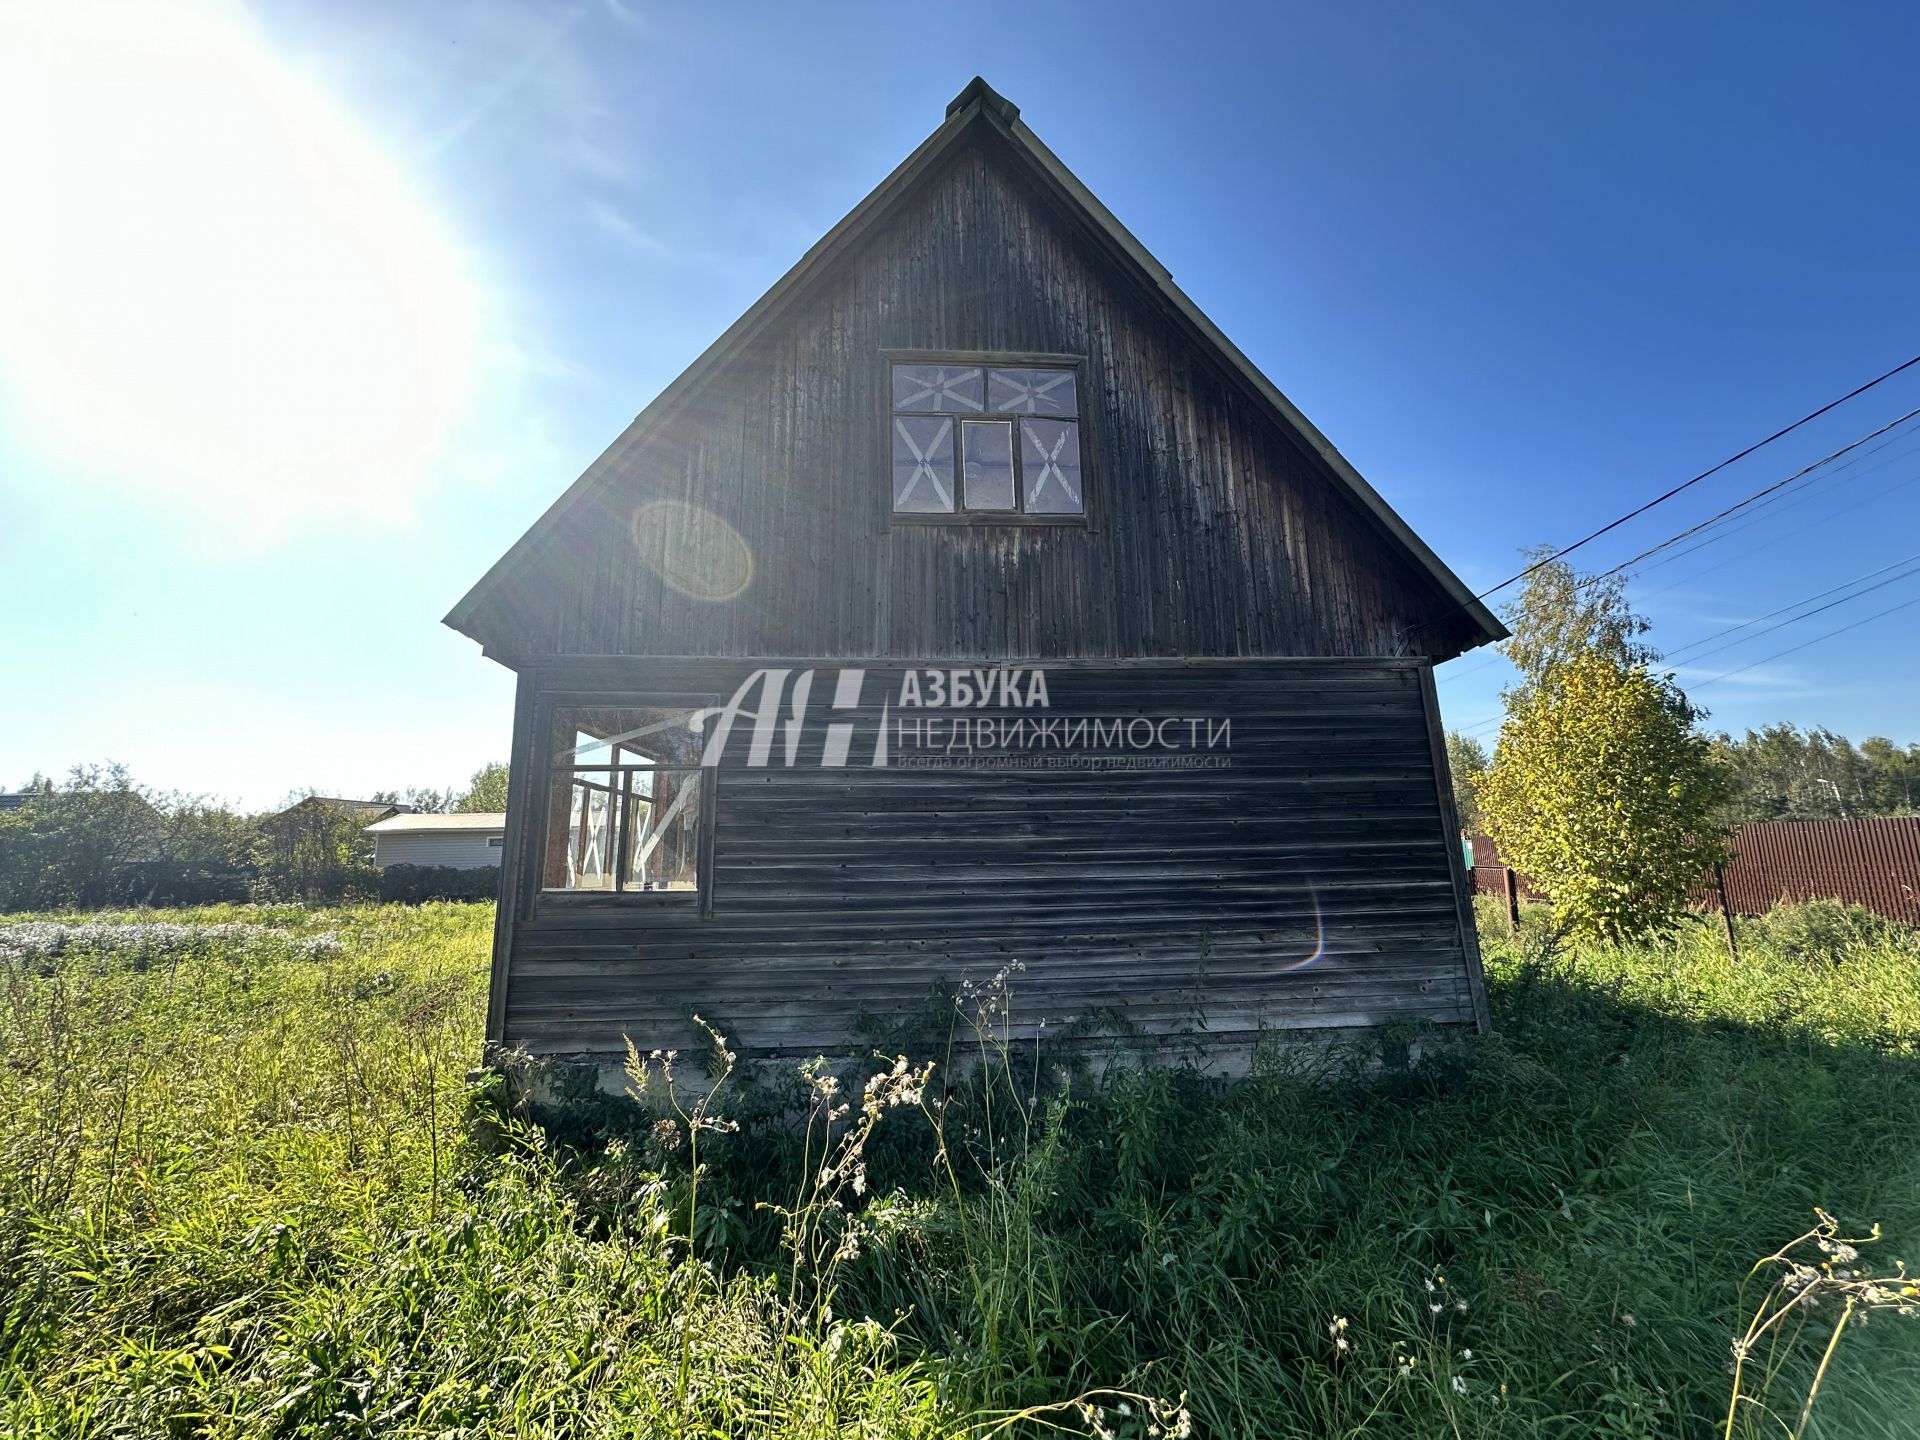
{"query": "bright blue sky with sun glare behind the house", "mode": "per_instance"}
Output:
(308, 310)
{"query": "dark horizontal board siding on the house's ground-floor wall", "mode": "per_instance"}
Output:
(1180, 898)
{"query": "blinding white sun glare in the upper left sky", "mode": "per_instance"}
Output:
(216, 289)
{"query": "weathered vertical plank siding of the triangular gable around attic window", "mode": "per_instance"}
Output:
(1214, 531)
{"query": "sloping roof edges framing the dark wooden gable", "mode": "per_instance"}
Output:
(980, 107)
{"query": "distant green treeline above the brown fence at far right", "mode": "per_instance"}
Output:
(1788, 775)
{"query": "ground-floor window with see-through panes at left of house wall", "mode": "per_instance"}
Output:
(627, 802)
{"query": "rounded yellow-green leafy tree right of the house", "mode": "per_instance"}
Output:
(1606, 798)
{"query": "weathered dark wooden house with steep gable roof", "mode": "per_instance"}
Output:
(972, 600)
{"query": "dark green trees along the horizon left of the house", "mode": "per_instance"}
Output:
(103, 840)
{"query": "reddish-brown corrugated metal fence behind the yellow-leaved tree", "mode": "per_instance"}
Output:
(1873, 863)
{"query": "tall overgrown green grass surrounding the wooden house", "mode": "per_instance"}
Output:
(247, 1193)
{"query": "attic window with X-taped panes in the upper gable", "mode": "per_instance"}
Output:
(986, 443)
